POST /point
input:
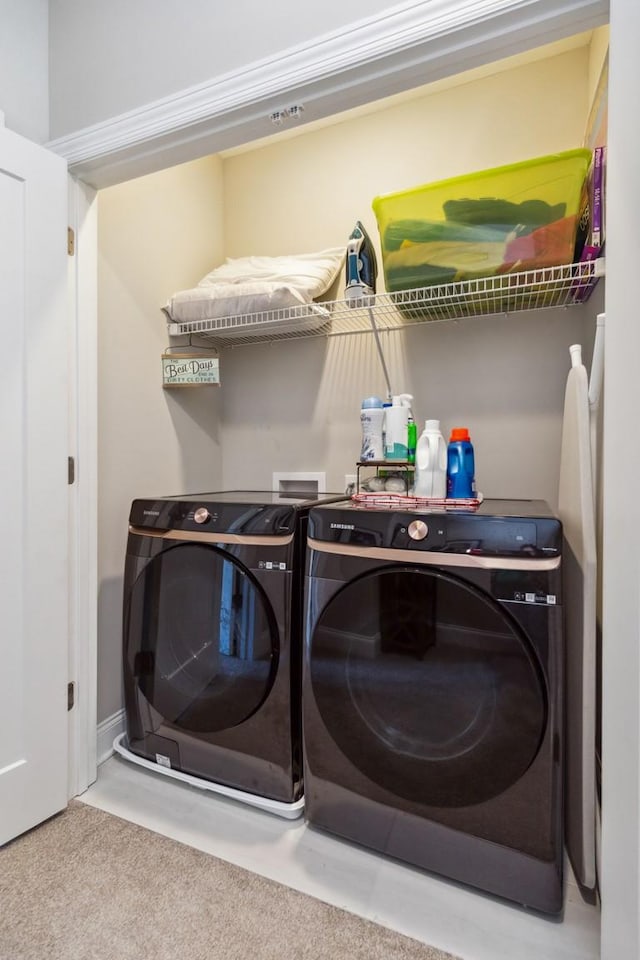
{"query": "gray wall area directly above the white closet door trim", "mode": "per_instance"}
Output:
(108, 58)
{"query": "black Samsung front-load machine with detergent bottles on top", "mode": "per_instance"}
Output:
(432, 690)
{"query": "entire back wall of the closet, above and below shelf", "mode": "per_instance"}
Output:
(295, 405)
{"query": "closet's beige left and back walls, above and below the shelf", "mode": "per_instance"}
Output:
(294, 405)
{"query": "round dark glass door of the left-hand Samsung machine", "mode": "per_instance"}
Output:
(200, 638)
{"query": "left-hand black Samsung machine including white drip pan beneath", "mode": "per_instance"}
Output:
(212, 642)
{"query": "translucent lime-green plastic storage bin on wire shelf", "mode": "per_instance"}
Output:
(514, 218)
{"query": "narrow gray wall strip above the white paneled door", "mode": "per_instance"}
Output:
(24, 84)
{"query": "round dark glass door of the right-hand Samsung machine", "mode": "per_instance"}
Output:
(428, 686)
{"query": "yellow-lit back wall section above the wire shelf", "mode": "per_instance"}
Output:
(307, 192)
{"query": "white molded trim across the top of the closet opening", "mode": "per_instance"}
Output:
(406, 46)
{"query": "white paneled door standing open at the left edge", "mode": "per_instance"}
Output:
(33, 485)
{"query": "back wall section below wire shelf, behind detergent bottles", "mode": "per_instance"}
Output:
(295, 405)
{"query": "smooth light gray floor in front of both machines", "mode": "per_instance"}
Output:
(435, 911)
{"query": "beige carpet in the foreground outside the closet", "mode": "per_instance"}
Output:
(89, 886)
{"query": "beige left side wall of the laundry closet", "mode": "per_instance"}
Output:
(157, 235)
